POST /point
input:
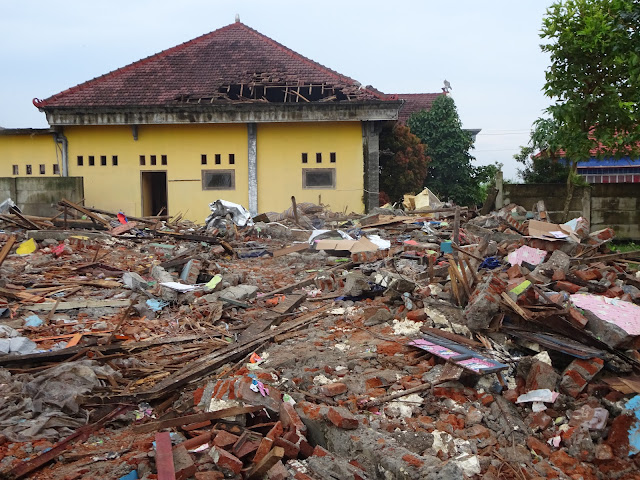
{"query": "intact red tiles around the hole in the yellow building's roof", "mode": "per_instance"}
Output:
(235, 54)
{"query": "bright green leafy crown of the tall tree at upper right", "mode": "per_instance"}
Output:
(594, 76)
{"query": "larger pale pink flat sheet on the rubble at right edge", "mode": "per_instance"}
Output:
(625, 315)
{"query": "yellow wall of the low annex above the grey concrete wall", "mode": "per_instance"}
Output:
(27, 149)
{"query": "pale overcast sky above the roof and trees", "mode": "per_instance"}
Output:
(489, 51)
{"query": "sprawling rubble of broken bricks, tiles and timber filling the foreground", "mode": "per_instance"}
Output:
(312, 345)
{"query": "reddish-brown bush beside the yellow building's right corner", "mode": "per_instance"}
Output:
(403, 163)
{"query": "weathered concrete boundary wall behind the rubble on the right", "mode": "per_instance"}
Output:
(615, 205)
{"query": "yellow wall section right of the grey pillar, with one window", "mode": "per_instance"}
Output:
(280, 148)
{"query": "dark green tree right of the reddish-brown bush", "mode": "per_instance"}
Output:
(451, 174)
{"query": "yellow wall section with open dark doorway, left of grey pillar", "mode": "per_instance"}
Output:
(119, 187)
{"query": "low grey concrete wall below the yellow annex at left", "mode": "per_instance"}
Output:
(39, 196)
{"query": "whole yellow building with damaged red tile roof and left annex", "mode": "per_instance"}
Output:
(229, 115)
